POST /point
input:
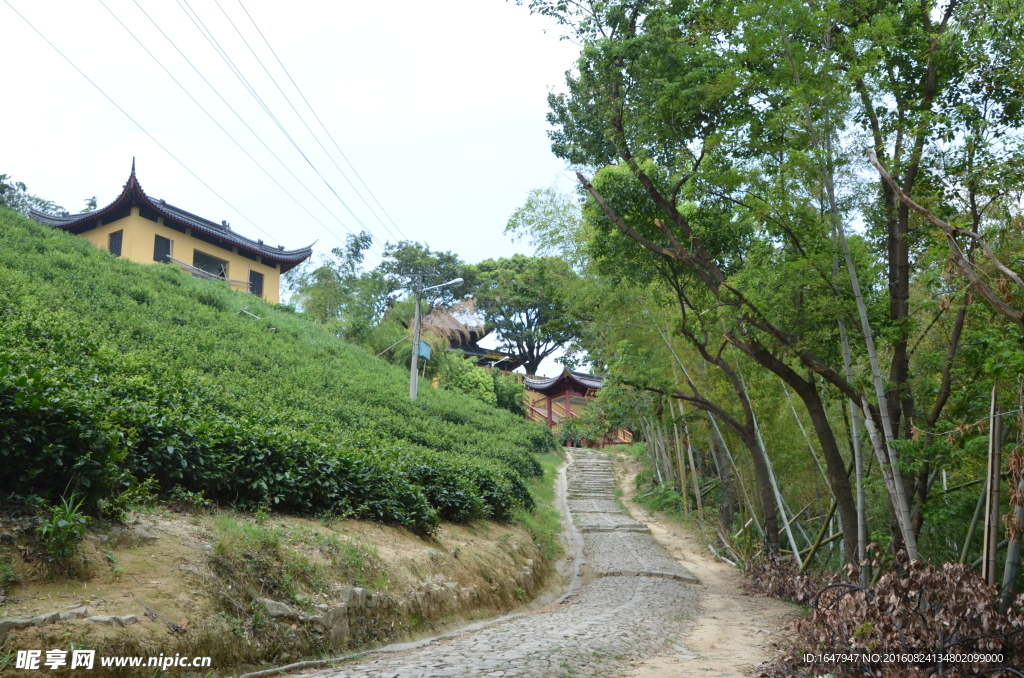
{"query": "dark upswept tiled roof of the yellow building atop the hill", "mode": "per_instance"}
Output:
(134, 196)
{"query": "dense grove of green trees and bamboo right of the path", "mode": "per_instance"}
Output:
(799, 234)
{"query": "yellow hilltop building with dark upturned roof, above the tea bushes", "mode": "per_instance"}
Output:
(149, 231)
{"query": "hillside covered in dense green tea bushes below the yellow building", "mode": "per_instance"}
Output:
(112, 372)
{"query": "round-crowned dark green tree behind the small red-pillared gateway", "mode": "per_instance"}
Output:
(522, 301)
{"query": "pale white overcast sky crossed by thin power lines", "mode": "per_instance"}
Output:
(440, 108)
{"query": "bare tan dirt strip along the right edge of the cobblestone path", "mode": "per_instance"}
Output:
(732, 633)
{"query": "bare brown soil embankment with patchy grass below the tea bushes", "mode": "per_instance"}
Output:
(246, 590)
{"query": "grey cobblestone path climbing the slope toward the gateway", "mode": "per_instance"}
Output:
(638, 606)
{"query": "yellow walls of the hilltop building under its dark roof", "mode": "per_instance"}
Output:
(139, 240)
